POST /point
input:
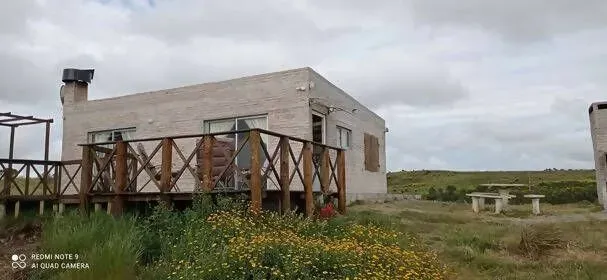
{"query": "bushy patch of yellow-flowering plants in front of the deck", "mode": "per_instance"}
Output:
(231, 243)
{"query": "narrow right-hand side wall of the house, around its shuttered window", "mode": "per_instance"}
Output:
(324, 94)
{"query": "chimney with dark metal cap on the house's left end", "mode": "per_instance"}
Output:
(76, 84)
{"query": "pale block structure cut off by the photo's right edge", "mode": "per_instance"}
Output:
(598, 132)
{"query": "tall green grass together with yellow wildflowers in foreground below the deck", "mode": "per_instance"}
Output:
(226, 241)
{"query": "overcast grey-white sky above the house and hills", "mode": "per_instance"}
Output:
(466, 85)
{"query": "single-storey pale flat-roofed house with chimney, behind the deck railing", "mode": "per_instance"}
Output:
(298, 102)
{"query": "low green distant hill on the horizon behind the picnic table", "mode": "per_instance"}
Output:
(420, 180)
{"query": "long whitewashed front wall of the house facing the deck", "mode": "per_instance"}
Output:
(182, 111)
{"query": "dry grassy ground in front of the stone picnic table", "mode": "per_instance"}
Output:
(490, 246)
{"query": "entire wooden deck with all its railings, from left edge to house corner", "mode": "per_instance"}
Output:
(117, 173)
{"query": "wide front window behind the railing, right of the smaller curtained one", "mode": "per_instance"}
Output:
(243, 160)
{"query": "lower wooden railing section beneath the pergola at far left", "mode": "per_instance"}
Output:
(37, 179)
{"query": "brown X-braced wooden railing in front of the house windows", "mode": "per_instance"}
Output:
(125, 167)
